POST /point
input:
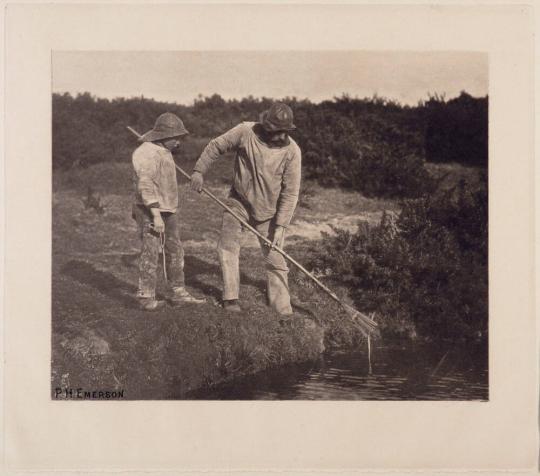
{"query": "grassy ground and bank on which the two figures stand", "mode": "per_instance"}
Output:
(101, 340)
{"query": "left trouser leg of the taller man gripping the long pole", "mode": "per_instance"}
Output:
(228, 248)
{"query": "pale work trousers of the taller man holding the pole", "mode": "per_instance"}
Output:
(229, 246)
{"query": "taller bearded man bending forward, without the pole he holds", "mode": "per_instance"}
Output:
(264, 192)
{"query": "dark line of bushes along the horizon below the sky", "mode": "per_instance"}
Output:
(373, 145)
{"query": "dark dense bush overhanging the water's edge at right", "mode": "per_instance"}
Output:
(423, 272)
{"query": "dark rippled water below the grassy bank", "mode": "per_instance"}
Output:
(398, 372)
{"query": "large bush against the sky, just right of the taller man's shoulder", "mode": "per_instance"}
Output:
(362, 145)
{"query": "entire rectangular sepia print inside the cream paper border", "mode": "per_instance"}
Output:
(277, 225)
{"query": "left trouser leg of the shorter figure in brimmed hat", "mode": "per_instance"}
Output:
(148, 258)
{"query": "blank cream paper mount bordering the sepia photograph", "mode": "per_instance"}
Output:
(45, 436)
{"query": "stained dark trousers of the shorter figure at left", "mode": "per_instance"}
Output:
(151, 246)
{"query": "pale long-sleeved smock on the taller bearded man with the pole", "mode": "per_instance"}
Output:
(267, 178)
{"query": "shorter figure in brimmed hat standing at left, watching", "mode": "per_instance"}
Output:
(156, 204)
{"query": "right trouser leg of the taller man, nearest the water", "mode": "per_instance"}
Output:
(277, 286)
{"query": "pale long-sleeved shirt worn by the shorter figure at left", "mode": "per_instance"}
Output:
(155, 177)
